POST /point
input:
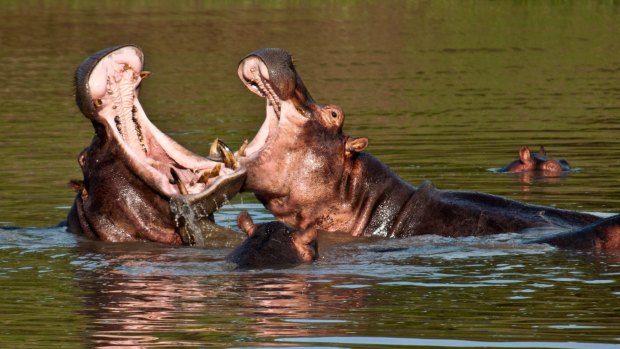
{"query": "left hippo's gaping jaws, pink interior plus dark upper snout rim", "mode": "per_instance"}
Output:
(107, 85)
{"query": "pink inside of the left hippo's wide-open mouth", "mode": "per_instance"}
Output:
(150, 153)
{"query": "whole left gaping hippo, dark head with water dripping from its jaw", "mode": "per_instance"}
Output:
(138, 182)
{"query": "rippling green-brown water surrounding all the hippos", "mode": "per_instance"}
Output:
(444, 90)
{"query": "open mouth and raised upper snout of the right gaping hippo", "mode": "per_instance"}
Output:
(270, 73)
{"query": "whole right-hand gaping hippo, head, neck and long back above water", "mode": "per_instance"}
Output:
(310, 174)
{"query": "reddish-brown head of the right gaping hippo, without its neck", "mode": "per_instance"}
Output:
(300, 153)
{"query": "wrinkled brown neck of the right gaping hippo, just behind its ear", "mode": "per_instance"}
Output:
(375, 194)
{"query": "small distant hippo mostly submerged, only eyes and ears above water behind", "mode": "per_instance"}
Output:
(529, 161)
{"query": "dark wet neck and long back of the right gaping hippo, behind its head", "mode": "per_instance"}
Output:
(385, 205)
